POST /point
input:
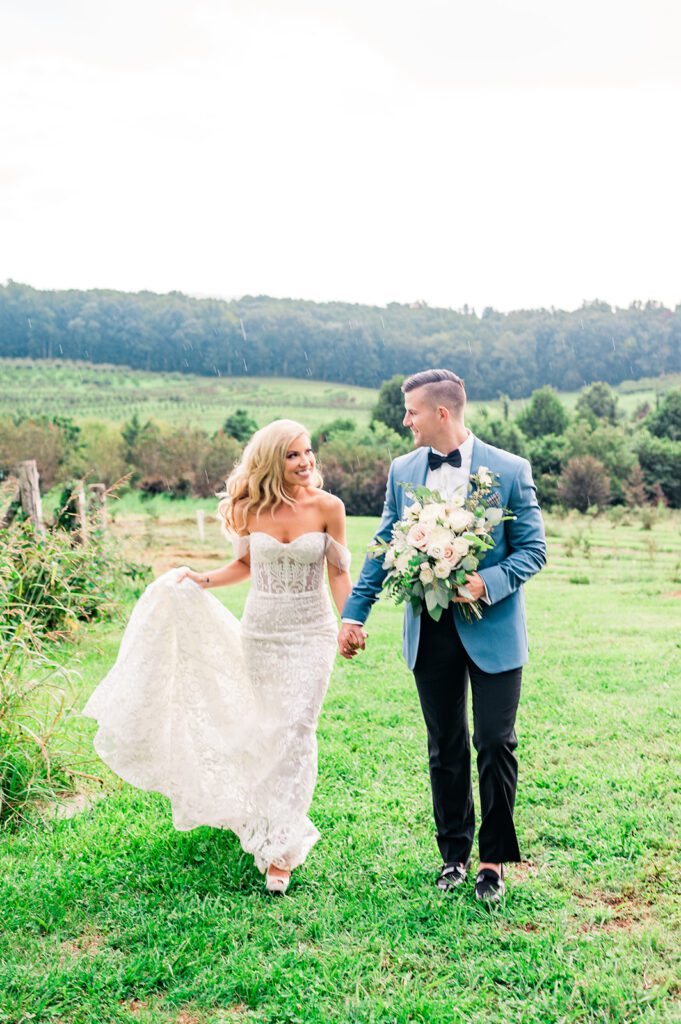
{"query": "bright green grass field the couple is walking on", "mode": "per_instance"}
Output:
(111, 916)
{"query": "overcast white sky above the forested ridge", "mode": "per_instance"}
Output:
(505, 153)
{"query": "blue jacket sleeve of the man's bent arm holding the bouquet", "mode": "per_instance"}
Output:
(526, 539)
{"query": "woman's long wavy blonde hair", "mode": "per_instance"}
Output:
(257, 483)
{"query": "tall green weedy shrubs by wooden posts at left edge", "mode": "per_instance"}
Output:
(48, 586)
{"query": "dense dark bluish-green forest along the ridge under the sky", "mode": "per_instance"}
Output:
(512, 354)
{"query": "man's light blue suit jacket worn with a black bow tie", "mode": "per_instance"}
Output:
(497, 643)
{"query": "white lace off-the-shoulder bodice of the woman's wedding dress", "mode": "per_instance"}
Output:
(290, 568)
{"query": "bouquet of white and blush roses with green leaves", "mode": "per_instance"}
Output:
(439, 542)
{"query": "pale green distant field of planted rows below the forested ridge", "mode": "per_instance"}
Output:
(86, 392)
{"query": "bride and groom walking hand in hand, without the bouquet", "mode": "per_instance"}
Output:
(221, 715)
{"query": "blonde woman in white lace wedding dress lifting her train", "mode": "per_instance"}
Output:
(219, 715)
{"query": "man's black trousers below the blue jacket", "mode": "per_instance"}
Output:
(442, 672)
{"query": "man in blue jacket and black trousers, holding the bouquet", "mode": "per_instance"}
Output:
(445, 655)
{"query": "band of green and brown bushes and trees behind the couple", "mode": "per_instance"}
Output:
(587, 460)
